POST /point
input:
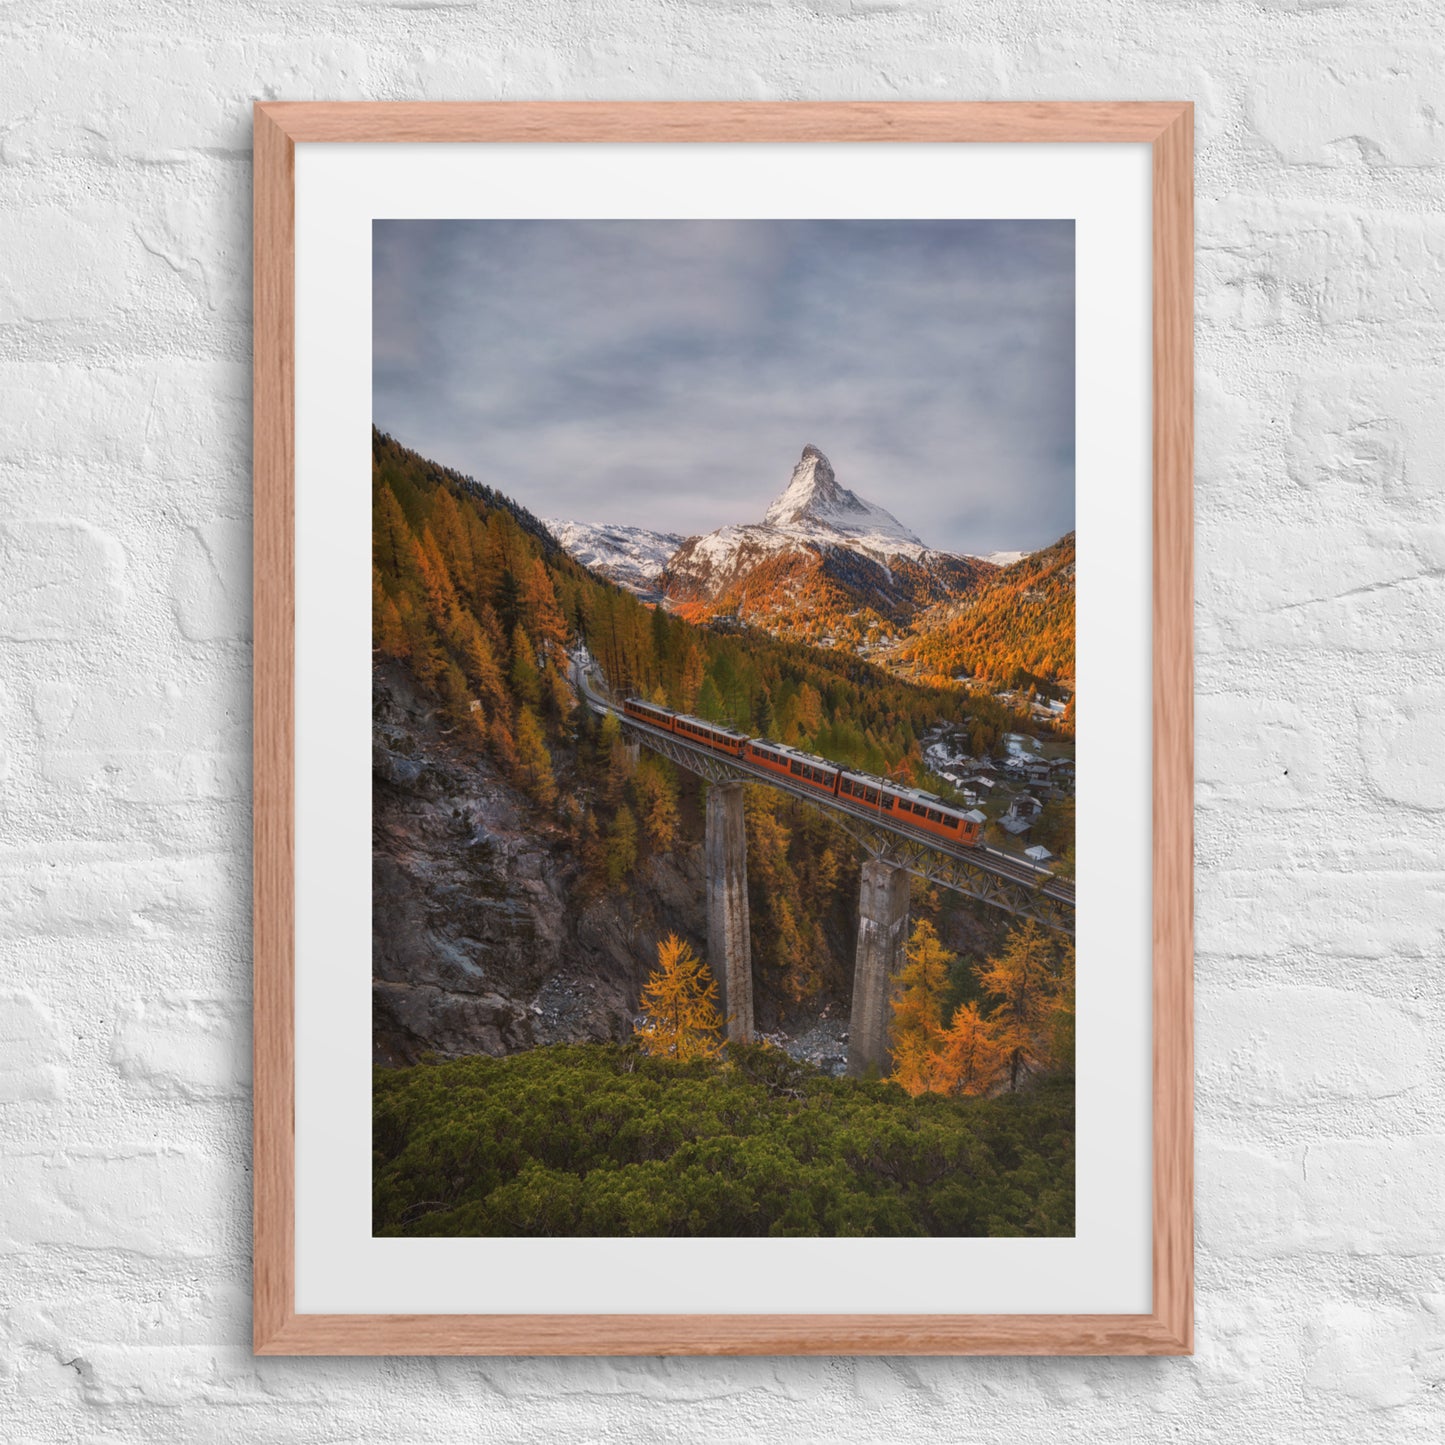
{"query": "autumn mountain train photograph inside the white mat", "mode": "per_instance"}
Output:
(723, 729)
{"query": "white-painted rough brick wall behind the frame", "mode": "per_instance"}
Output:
(125, 271)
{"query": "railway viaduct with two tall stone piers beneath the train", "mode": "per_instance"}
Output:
(894, 856)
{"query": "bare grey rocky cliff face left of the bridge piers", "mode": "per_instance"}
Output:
(479, 946)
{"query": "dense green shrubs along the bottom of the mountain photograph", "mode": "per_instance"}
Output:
(602, 1141)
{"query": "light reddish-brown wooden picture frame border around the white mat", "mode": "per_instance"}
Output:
(280, 128)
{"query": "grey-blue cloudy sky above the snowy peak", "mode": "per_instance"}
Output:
(668, 374)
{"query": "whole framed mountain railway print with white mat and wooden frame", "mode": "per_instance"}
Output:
(723, 729)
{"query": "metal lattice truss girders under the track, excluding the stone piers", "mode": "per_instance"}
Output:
(1017, 897)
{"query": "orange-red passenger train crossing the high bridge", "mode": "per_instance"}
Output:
(862, 791)
